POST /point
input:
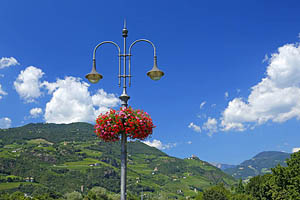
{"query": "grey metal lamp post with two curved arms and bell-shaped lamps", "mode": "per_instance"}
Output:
(94, 77)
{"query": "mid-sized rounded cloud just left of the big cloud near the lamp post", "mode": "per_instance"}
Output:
(28, 83)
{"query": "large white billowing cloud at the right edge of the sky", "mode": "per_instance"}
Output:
(275, 98)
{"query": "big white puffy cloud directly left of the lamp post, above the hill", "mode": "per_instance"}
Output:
(72, 102)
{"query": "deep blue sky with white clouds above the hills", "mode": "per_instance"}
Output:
(232, 70)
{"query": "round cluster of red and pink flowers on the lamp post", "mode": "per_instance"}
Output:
(136, 124)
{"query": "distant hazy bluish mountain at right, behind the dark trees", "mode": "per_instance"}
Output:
(258, 165)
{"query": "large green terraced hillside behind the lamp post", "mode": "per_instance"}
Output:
(64, 158)
